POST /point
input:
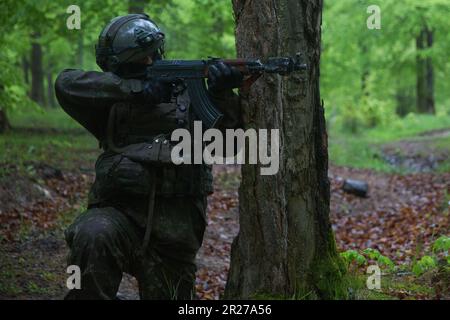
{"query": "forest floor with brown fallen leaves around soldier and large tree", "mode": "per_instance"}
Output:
(45, 175)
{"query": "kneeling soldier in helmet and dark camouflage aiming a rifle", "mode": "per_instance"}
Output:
(145, 220)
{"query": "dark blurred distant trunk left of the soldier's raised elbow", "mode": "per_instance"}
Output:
(37, 73)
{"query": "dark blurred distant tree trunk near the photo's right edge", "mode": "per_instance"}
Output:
(425, 76)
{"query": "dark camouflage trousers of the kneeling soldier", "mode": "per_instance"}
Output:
(105, 242)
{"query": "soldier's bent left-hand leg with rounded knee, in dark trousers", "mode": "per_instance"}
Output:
(101, 242)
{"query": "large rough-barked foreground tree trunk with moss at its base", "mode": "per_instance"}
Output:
(285, 246)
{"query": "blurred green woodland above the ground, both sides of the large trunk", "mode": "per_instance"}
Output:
(369, 77)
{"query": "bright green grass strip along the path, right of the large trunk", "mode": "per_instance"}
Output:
(363, 150)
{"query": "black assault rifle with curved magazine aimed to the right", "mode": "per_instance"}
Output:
(194, 72)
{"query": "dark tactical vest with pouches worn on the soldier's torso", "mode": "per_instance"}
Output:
(124, 170)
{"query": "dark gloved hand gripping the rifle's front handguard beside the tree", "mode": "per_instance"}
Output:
(222, 78)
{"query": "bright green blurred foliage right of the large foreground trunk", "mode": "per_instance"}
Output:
(368, 75)
